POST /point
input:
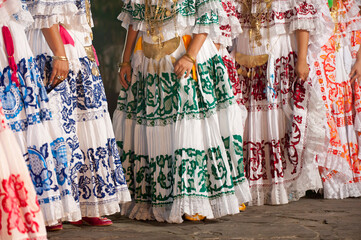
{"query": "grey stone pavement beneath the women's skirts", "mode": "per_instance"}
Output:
(308, 218)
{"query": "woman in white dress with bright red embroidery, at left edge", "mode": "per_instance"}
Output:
(20, 215)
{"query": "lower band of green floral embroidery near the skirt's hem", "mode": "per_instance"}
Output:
(189, 172)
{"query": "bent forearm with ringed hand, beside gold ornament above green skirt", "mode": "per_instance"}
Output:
(185, 63)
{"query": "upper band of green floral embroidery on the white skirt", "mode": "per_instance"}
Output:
(161, 100)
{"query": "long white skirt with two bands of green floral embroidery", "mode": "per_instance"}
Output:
(180, 140)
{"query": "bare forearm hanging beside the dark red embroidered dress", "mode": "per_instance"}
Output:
(302, 68)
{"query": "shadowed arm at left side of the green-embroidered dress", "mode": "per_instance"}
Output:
(125, 69)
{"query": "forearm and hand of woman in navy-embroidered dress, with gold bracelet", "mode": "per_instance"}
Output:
(60, 65)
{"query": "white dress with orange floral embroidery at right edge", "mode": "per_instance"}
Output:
(342, 103)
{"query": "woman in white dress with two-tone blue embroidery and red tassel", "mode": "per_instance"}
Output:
(27, 111)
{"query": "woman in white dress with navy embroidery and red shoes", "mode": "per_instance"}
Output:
(61, 38)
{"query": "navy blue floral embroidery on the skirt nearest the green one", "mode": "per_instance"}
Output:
(94, 172)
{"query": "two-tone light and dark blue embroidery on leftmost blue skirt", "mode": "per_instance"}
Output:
(26, 106)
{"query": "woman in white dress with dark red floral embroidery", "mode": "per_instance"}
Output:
(284, 128)
